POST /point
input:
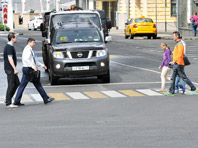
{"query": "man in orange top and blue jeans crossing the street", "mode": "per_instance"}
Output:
(178, 66)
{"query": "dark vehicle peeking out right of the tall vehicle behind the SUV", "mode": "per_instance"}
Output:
(106, 24)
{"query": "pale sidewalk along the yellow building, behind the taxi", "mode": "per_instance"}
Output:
(160, 35)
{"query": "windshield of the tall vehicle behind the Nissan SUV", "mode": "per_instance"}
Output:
(76, 17)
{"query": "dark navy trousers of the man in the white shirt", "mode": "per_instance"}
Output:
(24, 82)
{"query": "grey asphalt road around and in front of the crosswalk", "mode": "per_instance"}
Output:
(114, 121)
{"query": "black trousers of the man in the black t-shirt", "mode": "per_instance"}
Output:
(13, 83)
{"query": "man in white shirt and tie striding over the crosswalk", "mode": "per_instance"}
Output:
(30, 61)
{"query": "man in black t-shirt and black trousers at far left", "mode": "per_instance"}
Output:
(10, 62)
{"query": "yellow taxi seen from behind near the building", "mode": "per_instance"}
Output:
(140, 26)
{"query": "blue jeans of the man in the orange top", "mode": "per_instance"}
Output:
(179, 70)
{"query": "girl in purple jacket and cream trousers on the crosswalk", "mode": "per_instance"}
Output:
(164, 65)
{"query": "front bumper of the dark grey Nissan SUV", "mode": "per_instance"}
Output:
(67, 65)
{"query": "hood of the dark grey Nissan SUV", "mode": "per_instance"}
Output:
(79, 46)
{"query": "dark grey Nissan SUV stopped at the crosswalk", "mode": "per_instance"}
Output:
(77, 50)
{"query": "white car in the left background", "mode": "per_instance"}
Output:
(35, 23)
